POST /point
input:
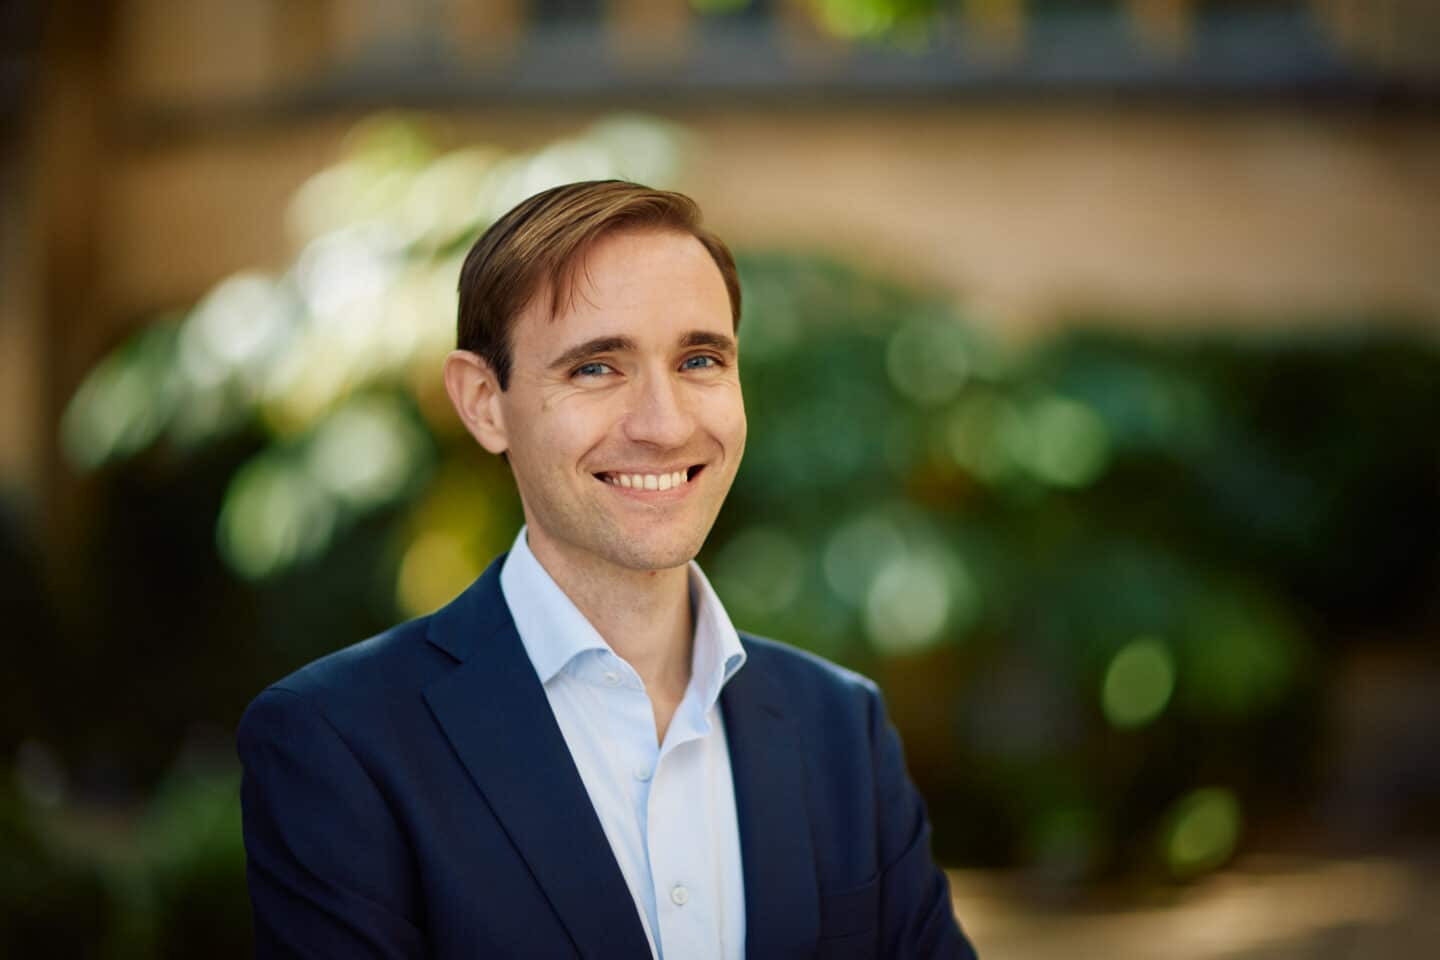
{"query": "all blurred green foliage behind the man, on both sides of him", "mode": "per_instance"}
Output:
(1101, 578)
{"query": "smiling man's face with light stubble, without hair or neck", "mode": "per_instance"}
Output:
(624, 417)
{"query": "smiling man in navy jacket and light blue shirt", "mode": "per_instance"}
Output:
(581, 756)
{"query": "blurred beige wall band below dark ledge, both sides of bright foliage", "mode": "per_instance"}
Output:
(1026, 214)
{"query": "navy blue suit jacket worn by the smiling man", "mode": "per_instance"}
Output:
(413, 797)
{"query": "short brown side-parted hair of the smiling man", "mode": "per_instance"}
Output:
(539, 245)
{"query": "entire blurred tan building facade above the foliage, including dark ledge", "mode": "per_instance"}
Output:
(1180, 159)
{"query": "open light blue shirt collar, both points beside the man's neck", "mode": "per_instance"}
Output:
(555, 633)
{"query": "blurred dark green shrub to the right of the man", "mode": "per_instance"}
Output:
(1095, 575)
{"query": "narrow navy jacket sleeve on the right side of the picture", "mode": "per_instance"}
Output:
(917, 915)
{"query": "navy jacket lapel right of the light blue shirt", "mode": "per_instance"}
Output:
(777, 851)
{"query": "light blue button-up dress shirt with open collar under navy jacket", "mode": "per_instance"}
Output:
(667, 808)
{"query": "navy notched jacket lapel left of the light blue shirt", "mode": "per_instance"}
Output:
(496, 715)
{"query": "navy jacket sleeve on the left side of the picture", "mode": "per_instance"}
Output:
(329, 870)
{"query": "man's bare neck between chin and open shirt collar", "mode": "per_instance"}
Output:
(644, 615)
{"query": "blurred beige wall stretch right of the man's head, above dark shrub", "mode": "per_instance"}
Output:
(1035, 212)
